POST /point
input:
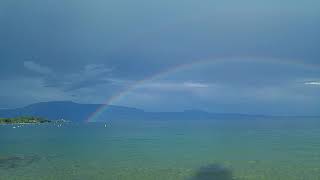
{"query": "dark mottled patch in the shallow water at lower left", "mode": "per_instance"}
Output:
(12, 162)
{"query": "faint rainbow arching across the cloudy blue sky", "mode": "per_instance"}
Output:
(122, 94)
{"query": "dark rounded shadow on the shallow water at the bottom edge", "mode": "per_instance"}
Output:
(213, 172)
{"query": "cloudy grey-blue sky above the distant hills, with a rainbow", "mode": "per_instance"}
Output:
(250, 56)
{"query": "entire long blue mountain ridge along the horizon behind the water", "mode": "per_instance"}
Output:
(80, 112)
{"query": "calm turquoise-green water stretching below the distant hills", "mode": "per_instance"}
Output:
(219, 149)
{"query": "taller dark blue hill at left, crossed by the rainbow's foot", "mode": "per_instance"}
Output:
(70, 111)
